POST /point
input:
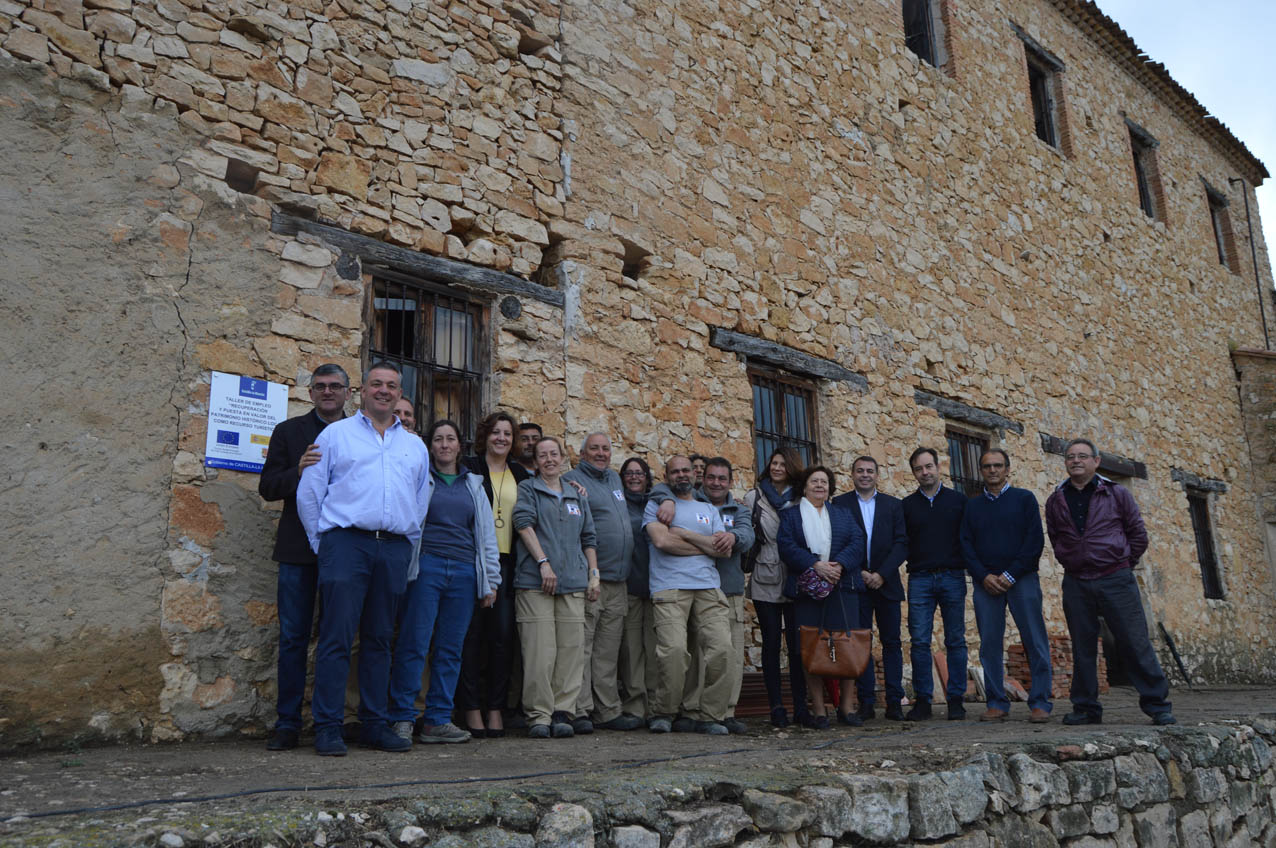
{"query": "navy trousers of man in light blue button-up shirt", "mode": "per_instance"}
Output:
(362, 583)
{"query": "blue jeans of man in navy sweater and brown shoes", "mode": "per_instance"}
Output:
(1025, 604)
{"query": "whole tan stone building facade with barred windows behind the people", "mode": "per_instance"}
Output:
(686, 224)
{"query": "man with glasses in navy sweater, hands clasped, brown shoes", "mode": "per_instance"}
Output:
(1002, 544)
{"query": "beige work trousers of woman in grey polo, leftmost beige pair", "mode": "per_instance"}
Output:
(552, 632)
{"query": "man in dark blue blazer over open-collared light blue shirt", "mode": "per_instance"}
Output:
(881, 517)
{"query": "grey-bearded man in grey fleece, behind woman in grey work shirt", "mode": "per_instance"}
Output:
(605, 618)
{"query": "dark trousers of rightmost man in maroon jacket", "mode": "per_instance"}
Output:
(1115, 597)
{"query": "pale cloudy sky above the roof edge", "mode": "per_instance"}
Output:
(1223, 53)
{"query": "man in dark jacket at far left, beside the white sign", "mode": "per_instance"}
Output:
(292, 451)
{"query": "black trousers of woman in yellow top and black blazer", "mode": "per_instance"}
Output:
(491, 650)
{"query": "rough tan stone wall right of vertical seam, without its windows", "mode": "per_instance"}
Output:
(794, 173)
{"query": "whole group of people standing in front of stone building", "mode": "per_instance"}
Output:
(505, 590)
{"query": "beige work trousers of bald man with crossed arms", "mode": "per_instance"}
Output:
(704, 617)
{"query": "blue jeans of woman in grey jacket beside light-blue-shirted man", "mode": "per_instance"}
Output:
(433, 622)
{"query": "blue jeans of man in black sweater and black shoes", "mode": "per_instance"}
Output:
(946, 590)
